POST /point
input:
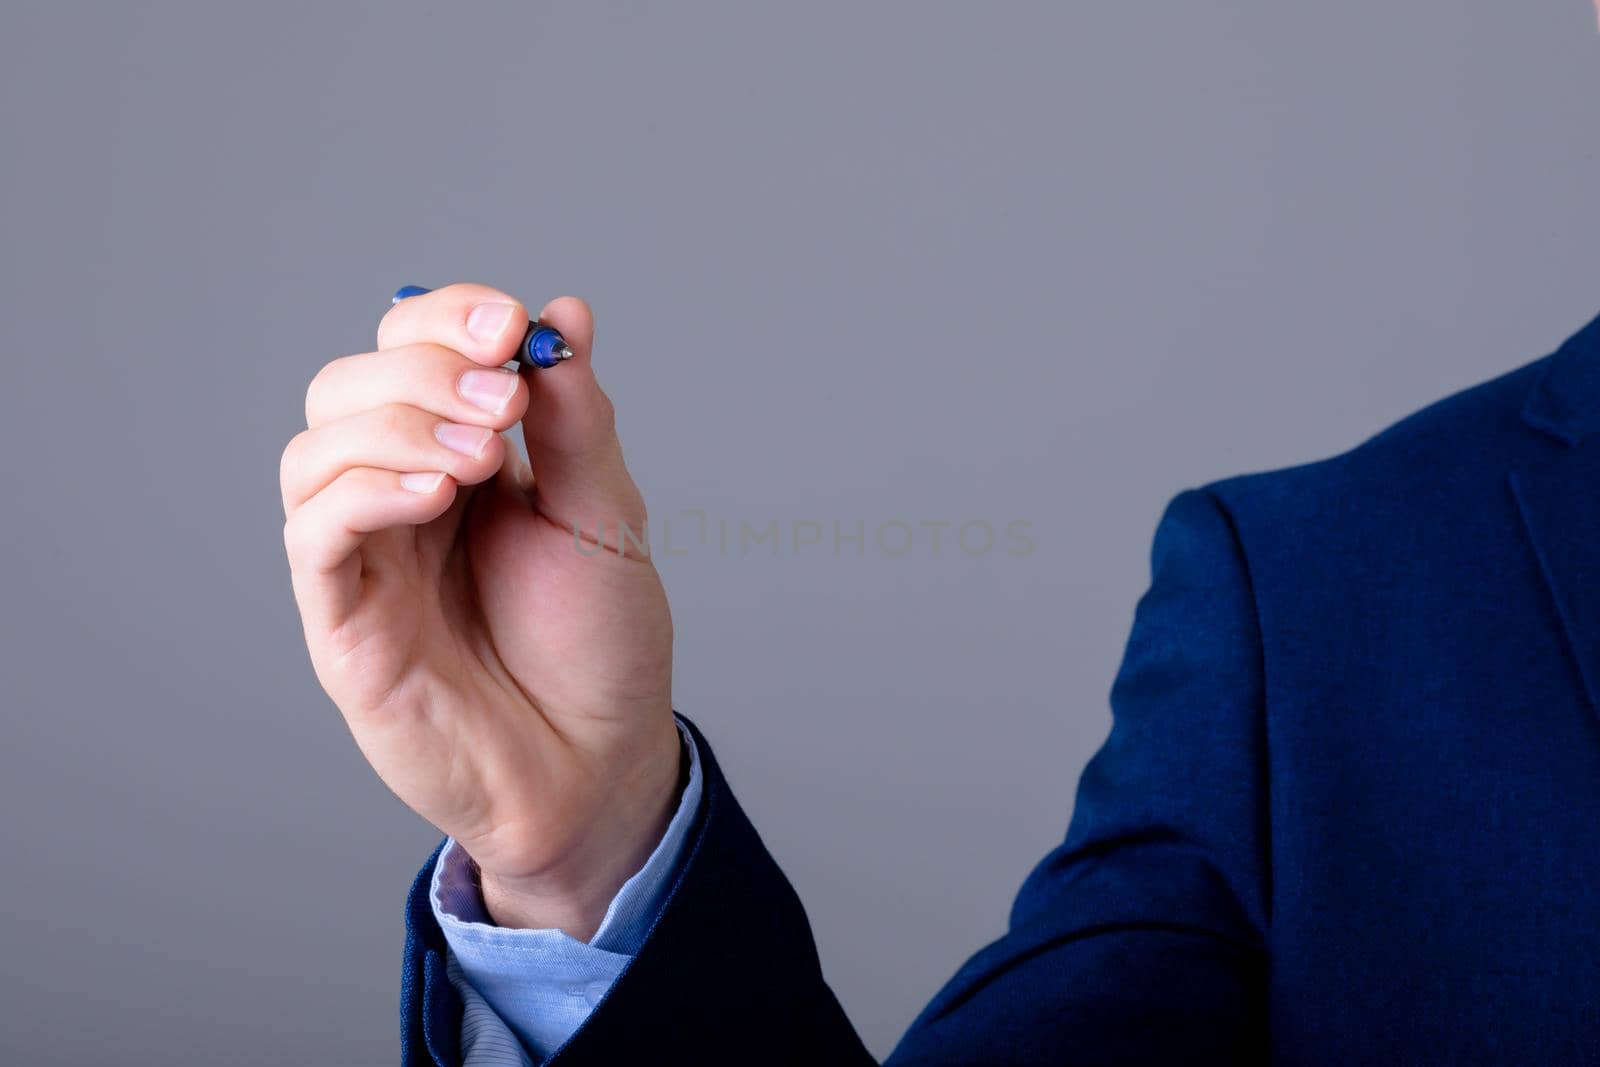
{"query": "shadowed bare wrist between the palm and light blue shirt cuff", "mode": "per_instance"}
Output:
(575, 893)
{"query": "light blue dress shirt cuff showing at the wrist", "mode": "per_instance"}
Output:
(526, 993)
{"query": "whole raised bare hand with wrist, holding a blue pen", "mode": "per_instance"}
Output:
(513, 690)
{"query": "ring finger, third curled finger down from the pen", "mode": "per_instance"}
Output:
(393, 438)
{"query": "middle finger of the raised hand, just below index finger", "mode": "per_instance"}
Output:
(422, 375)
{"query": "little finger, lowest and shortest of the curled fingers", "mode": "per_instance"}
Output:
(322, 533)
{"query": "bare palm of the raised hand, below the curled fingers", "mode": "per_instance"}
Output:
(487, 642)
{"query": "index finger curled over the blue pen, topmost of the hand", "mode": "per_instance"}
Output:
(482, 324)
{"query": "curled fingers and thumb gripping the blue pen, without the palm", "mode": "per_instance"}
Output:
(412, 407)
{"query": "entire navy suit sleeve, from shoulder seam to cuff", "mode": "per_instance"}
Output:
(1138, 941)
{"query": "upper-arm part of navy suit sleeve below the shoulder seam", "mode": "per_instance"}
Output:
(1142, 938)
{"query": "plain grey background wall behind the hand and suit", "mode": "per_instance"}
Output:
(850, 263)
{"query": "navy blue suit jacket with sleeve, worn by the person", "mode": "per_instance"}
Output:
(1350, 809)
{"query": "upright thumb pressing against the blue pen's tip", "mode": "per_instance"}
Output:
(570, 428)
